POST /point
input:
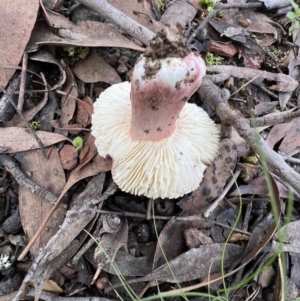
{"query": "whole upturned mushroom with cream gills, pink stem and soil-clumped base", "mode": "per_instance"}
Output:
(160, 144)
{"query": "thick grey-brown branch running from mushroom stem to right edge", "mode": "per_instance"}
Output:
(275, 162)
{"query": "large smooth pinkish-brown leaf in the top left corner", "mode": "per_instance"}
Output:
(17, 19)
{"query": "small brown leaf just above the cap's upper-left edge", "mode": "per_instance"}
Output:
(94, 69)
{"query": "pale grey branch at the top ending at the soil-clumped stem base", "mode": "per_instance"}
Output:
(127, 24)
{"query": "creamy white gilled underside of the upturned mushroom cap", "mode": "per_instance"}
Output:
(168, 168)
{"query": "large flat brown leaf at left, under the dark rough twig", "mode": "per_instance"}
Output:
(47, 173)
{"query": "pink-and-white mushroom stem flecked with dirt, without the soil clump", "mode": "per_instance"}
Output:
(159, 90)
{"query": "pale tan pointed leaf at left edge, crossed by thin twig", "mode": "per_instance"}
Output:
(16, 139)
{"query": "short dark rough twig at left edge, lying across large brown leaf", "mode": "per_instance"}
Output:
(6, 161)
